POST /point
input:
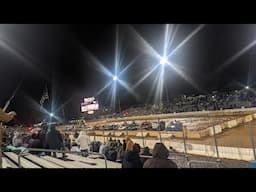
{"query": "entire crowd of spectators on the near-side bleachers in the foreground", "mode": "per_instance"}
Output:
(126, 152)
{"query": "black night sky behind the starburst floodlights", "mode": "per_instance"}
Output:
(61, 57)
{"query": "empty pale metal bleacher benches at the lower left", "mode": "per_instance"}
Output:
(21, 158)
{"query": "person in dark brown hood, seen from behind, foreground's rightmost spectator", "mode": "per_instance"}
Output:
(160, 158)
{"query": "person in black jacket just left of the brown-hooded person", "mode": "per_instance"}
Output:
(132, 158)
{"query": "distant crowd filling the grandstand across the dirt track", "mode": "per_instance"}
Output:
(213, 101)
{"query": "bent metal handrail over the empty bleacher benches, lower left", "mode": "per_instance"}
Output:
(56, 151)
